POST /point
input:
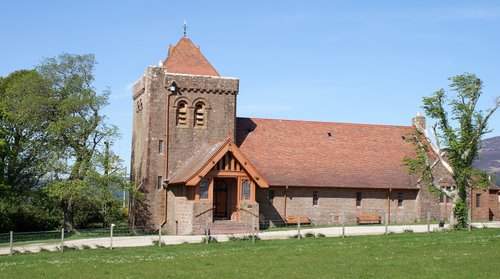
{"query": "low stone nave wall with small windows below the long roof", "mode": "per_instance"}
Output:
(333, 203)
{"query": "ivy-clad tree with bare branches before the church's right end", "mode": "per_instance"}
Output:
(456, 141)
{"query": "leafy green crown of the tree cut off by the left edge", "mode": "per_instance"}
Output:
(25, 108)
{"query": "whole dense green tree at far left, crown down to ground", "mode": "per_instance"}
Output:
(25, 110)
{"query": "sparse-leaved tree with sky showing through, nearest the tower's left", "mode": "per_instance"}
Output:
(78, 126)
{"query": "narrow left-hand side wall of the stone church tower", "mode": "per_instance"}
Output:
(146, 164)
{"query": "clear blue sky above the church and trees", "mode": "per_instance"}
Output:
(343, 61)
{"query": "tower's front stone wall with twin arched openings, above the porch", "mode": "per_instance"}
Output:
(219, 96)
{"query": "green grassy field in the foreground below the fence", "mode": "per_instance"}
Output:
(452, 254)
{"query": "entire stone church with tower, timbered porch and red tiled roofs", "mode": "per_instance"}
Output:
(200, 165)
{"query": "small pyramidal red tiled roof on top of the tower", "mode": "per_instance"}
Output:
(186, 58)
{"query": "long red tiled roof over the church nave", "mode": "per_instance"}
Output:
(326, 154)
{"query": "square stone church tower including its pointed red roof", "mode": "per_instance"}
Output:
(180, 106)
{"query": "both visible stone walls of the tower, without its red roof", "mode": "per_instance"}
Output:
(153, 101)
